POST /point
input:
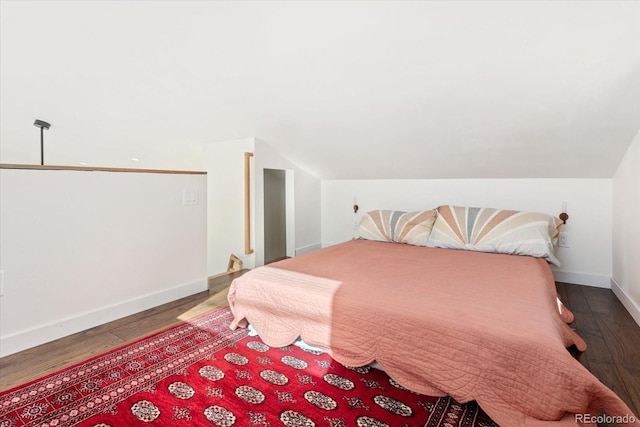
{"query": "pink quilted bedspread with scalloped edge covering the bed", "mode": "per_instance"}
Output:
(440, 322)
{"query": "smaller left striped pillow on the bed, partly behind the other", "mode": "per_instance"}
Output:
(397, 226)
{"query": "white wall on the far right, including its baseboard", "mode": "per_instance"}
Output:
(626, 230)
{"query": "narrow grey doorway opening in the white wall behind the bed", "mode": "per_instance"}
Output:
(275, 215)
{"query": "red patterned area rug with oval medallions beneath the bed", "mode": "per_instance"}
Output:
(201, 373)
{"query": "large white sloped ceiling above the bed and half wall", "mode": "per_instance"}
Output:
(343, 89)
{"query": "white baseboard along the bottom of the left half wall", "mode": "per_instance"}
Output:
(42, 334)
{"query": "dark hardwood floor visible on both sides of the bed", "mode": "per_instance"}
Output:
(613, 338)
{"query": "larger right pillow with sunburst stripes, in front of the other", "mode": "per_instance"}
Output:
(496, 230)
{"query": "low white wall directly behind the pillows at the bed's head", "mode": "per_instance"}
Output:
(589, 202)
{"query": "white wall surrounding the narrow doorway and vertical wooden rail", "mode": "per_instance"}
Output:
(224, 163)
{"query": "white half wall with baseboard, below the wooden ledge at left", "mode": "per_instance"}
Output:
(81, 248)
